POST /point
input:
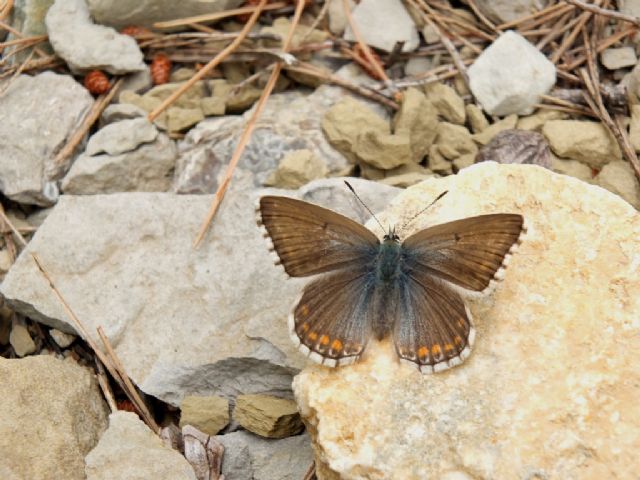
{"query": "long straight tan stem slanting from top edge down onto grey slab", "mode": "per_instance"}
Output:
(246, 134)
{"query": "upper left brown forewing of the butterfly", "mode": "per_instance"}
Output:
(310, 239)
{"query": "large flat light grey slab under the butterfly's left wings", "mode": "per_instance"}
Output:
(210, 321)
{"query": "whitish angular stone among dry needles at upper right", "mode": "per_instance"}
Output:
(510, 75)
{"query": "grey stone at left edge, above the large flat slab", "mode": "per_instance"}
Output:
(39, 114)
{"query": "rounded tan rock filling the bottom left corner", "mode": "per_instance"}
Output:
(53, 414)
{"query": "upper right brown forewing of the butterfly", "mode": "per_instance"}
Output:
(468, 252)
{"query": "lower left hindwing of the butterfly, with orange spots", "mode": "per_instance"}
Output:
(332, 321)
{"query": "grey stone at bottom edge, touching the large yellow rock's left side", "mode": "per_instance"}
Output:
(249, 457)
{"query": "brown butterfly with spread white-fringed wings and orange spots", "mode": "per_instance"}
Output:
(366, 288)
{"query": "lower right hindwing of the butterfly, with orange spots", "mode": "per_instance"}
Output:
(433, 327)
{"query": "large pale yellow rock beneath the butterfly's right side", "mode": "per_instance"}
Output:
(552, 384)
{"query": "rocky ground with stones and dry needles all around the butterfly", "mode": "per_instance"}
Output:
(143, 328)
